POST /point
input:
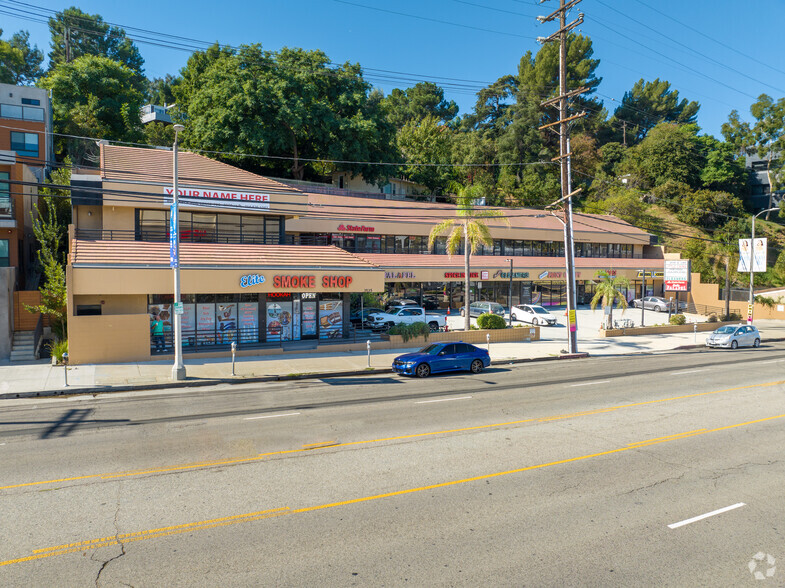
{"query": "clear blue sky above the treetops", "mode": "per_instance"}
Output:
(492, 37)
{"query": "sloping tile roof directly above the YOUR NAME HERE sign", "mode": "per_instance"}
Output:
(137, 164)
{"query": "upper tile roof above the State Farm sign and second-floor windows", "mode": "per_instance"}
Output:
(358, 210)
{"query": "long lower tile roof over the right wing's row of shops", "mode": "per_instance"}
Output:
(388, 261)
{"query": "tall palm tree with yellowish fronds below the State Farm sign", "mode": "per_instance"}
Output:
(467, 227)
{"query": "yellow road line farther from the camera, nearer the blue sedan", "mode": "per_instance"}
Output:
(312, 447)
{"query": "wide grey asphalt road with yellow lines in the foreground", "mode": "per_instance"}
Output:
(543, 474)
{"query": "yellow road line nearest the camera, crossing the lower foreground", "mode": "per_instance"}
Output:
(265, 514)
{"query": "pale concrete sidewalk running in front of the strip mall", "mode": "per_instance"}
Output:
(42, 378)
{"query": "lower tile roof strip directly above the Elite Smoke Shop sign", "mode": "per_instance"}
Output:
(88, 253)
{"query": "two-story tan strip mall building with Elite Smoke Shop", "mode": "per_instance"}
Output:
(263, 263)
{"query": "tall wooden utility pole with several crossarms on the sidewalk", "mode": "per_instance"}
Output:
(564, 153)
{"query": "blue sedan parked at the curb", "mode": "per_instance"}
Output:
(442, 357)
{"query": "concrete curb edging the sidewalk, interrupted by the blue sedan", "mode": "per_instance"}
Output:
(94, 391)
